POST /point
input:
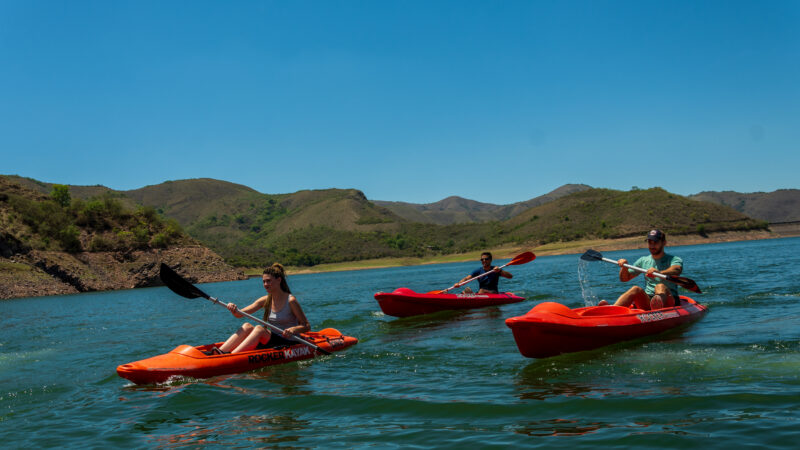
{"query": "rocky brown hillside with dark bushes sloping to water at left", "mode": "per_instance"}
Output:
(53, 242)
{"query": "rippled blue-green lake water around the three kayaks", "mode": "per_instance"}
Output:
(450, 379)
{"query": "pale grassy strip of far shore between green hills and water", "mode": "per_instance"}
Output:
(777, 231)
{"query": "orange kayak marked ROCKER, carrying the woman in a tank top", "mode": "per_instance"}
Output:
(193, 362)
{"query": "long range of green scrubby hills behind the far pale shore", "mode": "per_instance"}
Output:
(334, 225)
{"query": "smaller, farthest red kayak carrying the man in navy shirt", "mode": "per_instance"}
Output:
(404, 302)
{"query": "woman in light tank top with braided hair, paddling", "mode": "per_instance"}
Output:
(281, 309)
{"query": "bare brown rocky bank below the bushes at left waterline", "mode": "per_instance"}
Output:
(40, 273)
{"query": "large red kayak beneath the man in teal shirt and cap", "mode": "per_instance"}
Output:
(551, 328)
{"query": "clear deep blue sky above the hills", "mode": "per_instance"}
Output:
(496, 101)
